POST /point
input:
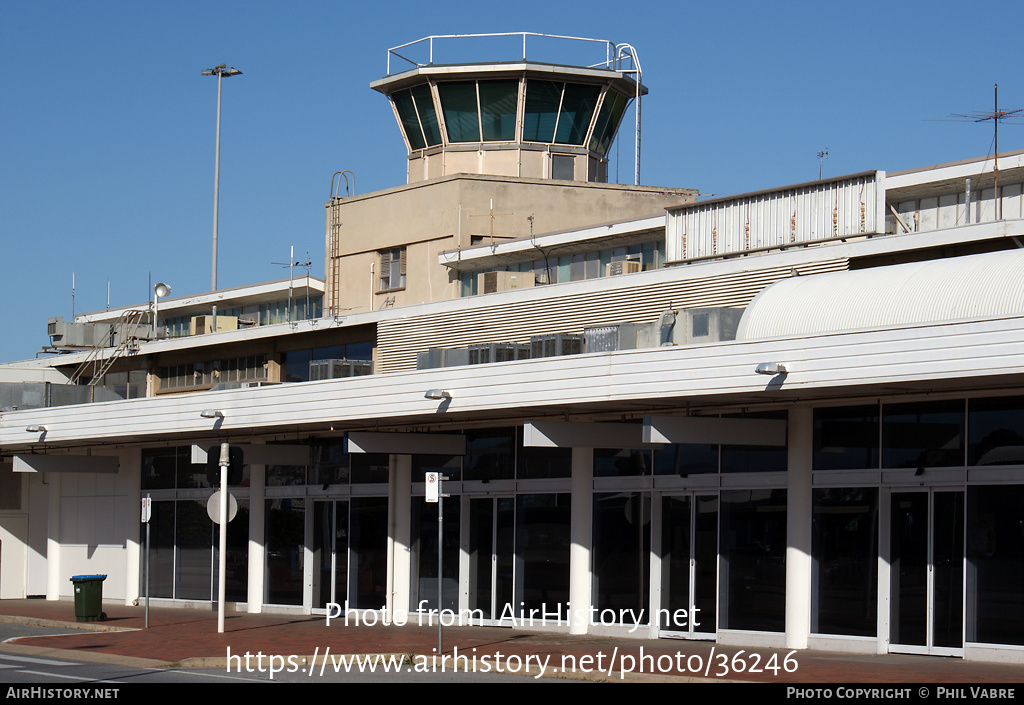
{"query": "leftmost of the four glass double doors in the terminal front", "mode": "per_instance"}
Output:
(330, 554)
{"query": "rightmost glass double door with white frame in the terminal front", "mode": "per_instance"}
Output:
(927, 572)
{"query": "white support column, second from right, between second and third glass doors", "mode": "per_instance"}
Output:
(582, 536)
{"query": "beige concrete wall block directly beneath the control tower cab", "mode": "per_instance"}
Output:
(448, 214)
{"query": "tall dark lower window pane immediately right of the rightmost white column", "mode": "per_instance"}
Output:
(845, 546)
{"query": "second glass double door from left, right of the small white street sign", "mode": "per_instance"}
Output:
(492, 561)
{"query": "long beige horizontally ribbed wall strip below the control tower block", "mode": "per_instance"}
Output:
(400, 341)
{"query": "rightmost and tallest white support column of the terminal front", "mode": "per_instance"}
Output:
(798, 553)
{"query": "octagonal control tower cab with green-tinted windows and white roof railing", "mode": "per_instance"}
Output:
(521, 118)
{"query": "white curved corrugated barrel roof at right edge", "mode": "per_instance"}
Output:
(973, 286)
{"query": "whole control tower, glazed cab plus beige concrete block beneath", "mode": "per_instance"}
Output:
(499, 152)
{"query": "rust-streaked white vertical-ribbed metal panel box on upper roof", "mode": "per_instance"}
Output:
(847, 208)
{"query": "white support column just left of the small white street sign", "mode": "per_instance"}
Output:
(400, 530)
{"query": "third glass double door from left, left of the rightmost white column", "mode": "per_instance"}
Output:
(690, 566)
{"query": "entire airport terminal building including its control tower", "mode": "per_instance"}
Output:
(793, 418)
